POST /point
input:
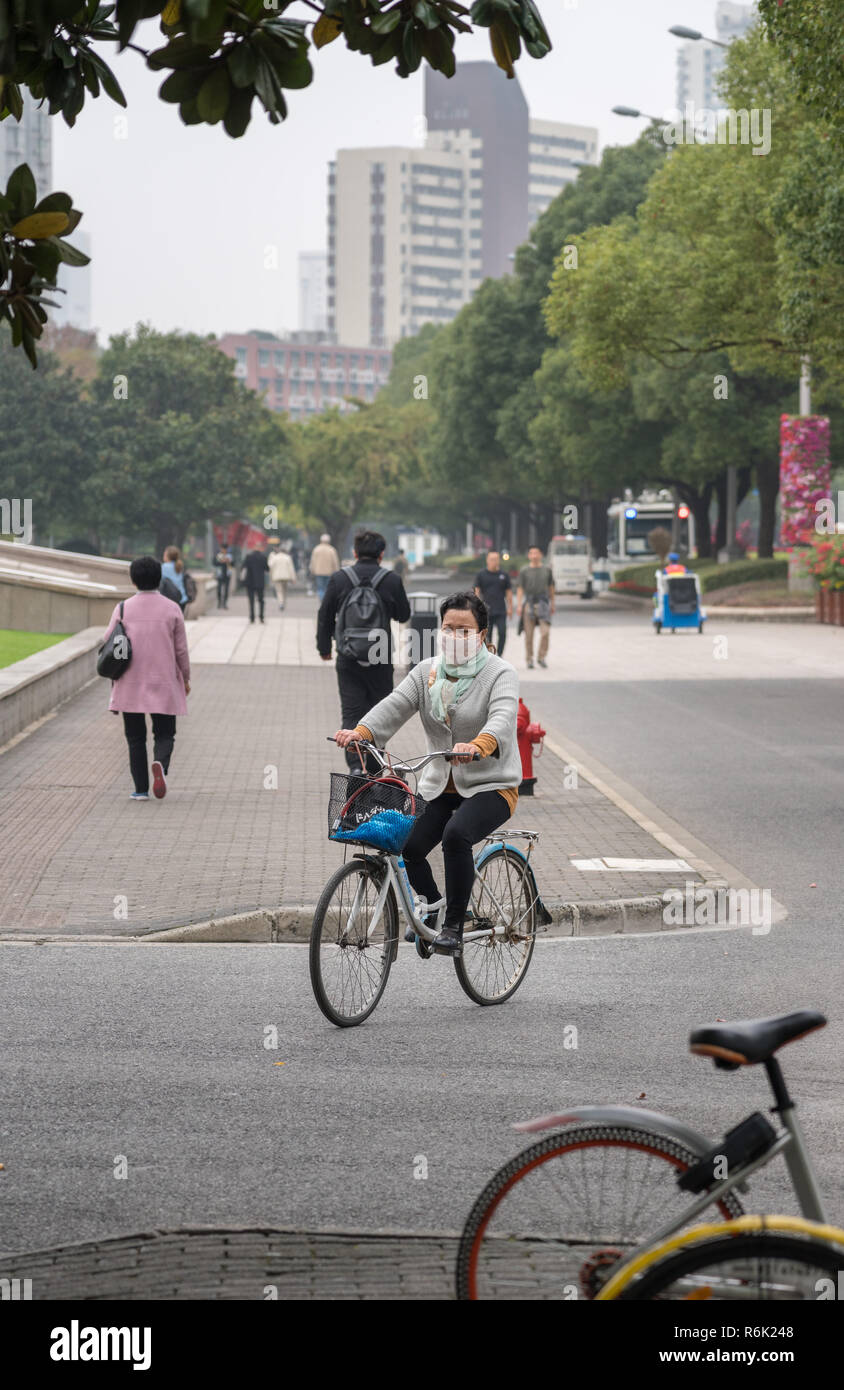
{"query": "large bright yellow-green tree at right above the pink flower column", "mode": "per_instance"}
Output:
(707, 265)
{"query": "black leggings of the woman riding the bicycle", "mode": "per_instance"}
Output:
(460, 822)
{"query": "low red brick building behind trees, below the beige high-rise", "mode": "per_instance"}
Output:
(302, 375)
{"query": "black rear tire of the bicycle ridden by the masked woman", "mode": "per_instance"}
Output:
(490, 971)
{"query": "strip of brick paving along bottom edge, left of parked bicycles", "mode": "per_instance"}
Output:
(243, 1264)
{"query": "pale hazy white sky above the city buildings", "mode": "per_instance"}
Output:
(180, 218)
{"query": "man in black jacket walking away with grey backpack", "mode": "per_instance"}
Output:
(362, 686)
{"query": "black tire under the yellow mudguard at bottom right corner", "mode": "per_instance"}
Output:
(763, 1248)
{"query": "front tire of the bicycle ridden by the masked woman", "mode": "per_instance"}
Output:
(383, 951)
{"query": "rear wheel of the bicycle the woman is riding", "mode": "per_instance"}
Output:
(503, 896)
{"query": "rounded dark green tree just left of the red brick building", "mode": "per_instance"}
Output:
(179, 440)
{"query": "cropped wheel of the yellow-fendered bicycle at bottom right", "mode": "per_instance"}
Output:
(756, 1268)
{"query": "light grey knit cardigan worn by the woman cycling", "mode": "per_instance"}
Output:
(489, 707)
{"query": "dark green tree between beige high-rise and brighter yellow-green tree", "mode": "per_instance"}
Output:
(483, 368)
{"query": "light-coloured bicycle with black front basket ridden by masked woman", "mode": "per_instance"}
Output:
(355, 933)
